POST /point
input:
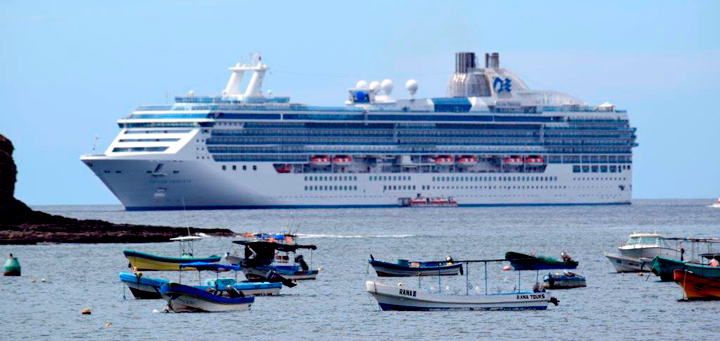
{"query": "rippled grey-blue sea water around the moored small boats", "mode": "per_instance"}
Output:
(336, 306)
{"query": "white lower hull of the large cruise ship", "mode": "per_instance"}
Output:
(204, 185)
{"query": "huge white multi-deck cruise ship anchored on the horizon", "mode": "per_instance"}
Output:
(489, 141)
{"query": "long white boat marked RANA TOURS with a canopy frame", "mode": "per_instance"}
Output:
(400, 297)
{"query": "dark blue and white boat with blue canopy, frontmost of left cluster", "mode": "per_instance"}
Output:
(185, 298)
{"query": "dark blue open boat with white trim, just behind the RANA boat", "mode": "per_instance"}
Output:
(405, 268)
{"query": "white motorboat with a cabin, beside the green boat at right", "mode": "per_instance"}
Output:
(640, 249)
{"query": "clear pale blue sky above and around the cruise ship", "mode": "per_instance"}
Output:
(69, 70)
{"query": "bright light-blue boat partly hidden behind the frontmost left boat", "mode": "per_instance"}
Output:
(143, 287)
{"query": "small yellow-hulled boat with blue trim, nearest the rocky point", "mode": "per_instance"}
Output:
(141, 261)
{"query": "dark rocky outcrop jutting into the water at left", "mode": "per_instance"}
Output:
(19, 224)
